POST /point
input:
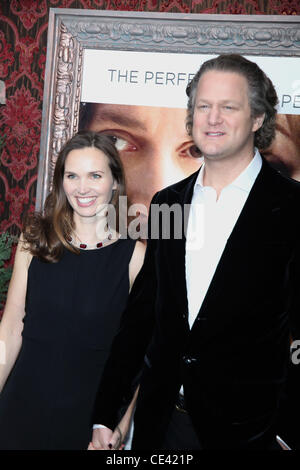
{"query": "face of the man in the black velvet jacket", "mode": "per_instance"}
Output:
(223, 127)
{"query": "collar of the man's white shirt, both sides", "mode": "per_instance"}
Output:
(245, 180)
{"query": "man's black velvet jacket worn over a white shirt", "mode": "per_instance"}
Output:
(233, 362)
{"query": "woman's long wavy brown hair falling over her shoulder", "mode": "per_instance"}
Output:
(46, 234)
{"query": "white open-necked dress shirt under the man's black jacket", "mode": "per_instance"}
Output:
(210, 224)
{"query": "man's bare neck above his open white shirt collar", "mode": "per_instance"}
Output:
(220, 173)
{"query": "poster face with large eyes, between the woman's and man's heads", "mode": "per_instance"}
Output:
(154, 147)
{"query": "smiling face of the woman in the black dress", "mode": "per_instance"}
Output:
(88, 182)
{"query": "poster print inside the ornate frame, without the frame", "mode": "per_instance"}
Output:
(140, 99)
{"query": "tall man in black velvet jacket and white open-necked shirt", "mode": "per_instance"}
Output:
(213, 319)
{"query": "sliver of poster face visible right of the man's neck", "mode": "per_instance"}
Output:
(284, 152)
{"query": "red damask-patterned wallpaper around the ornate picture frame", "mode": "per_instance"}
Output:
(23, 38)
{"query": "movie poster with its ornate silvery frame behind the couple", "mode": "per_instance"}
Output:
(126, 76)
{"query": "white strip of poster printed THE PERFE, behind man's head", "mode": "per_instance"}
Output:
(158, 79)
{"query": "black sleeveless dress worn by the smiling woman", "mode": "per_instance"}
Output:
(73, 310)
